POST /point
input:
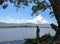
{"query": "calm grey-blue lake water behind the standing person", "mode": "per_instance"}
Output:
(10, 34)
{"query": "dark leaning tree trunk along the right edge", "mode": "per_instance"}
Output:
(56, 9)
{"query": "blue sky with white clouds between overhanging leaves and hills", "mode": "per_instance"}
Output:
(10, 15)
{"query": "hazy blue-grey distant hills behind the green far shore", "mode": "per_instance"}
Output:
(23, 24)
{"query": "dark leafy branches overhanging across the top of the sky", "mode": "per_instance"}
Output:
(39, 5)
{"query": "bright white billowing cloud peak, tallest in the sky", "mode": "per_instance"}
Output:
(39, 19)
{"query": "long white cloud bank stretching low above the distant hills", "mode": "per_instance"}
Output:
(38, 19)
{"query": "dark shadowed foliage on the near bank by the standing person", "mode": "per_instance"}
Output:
(47, 38)
